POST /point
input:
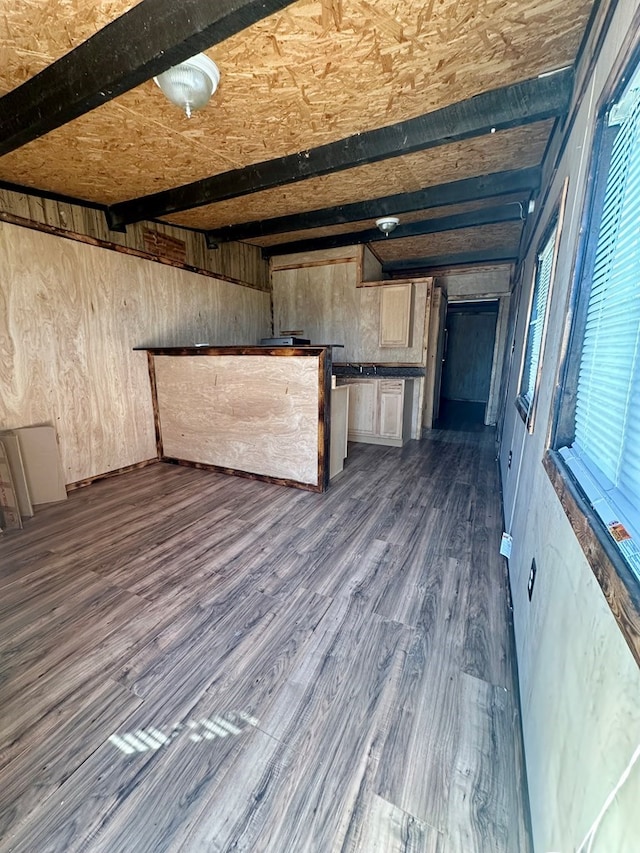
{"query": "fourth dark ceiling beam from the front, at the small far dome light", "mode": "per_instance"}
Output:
(511, 212)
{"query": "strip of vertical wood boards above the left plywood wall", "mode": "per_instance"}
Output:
(237, 261)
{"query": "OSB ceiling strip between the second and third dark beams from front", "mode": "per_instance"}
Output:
(507, 149)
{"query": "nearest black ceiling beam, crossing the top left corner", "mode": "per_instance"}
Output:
(152, 36)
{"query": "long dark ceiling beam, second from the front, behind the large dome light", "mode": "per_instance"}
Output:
(510, 106)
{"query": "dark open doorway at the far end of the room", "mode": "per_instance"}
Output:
(470, 334)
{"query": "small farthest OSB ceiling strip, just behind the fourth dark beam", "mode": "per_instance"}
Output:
(485, 237)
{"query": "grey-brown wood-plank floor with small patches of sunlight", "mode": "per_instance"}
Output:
(197, 662)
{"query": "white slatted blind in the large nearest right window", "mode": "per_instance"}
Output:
(607, 423)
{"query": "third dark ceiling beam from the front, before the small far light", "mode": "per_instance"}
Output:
(525, 181)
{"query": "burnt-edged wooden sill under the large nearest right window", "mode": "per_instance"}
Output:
(618, 584)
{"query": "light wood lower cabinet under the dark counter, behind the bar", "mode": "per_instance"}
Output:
(379, 410)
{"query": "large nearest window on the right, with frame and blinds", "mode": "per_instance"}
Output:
(599, 430)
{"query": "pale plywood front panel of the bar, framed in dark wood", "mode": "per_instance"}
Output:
(257, 414)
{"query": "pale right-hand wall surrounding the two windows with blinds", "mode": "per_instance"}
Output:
(579, 682)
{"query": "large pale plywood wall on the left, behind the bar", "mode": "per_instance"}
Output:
(70, 315)
